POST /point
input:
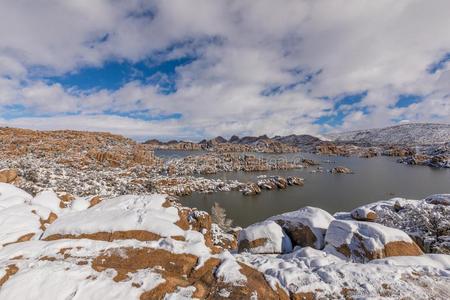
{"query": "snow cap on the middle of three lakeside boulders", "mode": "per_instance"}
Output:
(316, 219)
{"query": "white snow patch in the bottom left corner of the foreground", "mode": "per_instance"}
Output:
(43, 280)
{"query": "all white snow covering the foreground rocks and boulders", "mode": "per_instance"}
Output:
(294, 270)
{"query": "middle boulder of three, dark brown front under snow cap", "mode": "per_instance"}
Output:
(306, 226)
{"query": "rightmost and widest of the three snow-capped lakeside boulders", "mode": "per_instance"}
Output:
(363, 241)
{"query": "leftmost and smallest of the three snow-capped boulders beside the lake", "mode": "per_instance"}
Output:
(264, 238)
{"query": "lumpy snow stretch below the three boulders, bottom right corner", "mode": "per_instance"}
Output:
(327, 280)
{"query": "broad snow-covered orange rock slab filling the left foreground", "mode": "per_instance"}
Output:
(103, 251)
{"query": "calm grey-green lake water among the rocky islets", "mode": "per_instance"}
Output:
(374, 179)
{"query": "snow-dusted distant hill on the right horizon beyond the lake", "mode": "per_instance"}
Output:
(413, 134)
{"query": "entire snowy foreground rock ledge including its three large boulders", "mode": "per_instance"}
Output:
(147, 247)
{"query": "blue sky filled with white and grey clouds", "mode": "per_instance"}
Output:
(177, 69)
